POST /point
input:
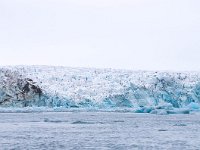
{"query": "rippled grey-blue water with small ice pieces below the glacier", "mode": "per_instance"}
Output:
(98, 130)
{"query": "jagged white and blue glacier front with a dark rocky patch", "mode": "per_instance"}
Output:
(98, 88)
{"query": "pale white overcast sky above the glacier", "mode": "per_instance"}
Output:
(128, 34)
